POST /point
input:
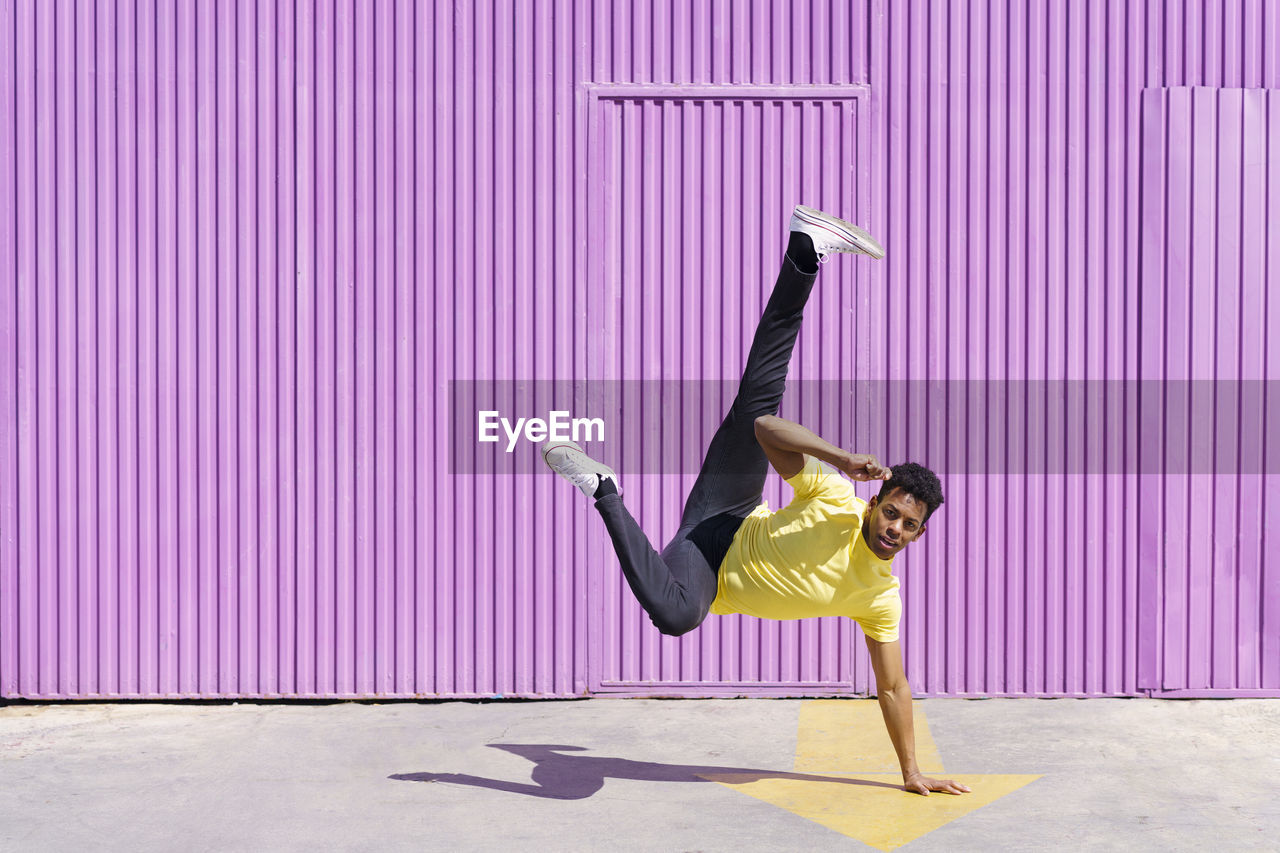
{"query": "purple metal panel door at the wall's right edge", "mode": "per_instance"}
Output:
(1209, 586)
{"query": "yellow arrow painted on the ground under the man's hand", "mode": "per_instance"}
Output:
(862, 792)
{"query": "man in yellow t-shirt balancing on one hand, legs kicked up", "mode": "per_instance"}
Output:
(826, 554)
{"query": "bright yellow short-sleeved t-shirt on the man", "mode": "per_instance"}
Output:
(810, 559)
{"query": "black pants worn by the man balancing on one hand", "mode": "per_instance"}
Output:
(678, 587)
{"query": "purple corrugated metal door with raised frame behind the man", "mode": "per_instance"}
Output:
(692, 188)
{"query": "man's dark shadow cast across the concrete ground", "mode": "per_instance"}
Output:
(568, 777)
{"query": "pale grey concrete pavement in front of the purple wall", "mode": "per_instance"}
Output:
(637, 776)
